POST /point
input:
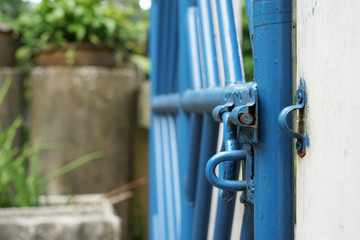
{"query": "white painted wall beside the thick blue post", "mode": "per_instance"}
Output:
(328, 58)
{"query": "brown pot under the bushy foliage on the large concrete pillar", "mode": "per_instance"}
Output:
(86, 54)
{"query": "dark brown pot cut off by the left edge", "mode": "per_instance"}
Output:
(8, 46)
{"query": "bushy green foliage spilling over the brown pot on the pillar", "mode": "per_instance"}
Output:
(58, 22)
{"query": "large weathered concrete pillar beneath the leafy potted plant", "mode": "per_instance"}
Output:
(85, 109)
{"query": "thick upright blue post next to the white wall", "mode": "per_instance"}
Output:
(273, 167)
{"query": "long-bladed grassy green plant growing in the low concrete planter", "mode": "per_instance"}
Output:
(20, 181)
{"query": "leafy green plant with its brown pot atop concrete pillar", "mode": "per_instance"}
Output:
(77, 32)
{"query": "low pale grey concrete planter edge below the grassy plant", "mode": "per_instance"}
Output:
(91, 217)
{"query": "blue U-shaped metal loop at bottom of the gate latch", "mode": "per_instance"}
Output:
(230, 185)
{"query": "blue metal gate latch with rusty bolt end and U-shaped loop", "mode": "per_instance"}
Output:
(239, 116)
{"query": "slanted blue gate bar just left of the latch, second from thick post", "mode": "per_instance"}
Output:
(209, 127)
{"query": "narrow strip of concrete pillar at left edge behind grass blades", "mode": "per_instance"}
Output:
(13, 104)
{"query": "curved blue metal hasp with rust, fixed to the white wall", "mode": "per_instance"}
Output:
(302, 141)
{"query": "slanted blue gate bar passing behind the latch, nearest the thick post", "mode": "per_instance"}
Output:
(233, 68)
